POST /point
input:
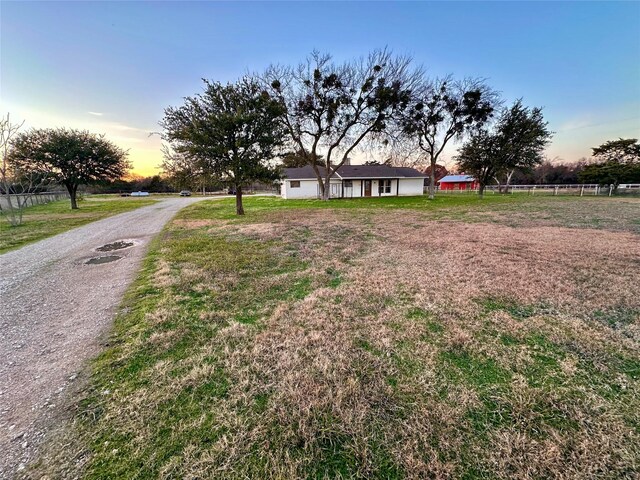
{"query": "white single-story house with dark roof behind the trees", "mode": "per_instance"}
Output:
(352, 181)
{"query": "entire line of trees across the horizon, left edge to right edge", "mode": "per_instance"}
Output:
(320, 113)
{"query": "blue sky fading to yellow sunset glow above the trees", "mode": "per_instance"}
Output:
(113, 67)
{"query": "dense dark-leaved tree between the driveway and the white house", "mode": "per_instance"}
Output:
(229, 132)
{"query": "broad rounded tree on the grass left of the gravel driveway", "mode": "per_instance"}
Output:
(71, 157)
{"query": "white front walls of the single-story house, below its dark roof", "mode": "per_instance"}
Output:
(309, 188)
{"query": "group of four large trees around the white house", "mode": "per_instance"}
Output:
(321, 112)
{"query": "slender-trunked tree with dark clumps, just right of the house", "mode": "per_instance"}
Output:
(444, 109)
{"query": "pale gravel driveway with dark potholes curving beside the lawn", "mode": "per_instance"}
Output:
(54, 309)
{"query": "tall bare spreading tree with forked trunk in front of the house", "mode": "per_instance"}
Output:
(331, 108)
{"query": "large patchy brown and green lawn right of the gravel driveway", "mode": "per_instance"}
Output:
(392, 338)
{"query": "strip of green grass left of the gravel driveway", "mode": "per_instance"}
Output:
(42, 221)
